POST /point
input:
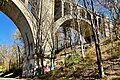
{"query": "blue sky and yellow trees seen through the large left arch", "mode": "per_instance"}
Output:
(11, 45)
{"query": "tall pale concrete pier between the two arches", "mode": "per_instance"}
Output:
(44, 32)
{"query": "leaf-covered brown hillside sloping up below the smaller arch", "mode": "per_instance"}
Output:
(77, 68)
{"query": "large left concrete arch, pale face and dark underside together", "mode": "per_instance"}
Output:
(24, 21)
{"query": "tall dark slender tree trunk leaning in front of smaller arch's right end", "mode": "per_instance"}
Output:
(96, 39)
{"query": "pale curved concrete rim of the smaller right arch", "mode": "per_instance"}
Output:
(62, 20)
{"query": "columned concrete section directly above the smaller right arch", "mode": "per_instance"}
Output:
(69, 7)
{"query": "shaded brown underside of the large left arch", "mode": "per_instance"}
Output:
(16, 15)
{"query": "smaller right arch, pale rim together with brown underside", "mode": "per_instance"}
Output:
(72, 22)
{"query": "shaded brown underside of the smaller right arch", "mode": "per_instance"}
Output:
(85, 28)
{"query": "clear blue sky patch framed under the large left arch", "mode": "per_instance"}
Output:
(7, 28)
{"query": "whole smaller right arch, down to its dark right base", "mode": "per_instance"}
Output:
(81, 25)
